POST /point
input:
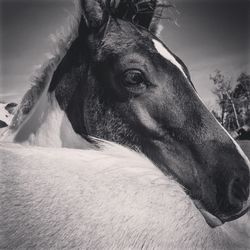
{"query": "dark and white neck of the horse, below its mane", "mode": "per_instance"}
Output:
(54, 119)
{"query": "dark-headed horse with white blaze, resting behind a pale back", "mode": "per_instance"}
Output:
(114, 79)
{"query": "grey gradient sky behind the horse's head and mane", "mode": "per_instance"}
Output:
(210, 35)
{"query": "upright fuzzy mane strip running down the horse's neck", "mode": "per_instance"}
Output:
(40, 79)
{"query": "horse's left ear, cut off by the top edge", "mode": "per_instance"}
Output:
(94, 12)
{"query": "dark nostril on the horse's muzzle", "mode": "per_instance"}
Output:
(238, 193)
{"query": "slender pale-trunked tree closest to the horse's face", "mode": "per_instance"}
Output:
(223, 91)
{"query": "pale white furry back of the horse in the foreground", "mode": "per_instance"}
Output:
(86, 199)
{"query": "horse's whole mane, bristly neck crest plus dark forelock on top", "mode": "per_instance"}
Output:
(149, 11)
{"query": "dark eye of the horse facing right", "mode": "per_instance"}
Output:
(133, 78)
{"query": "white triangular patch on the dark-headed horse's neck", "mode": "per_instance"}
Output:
(47, 126)
